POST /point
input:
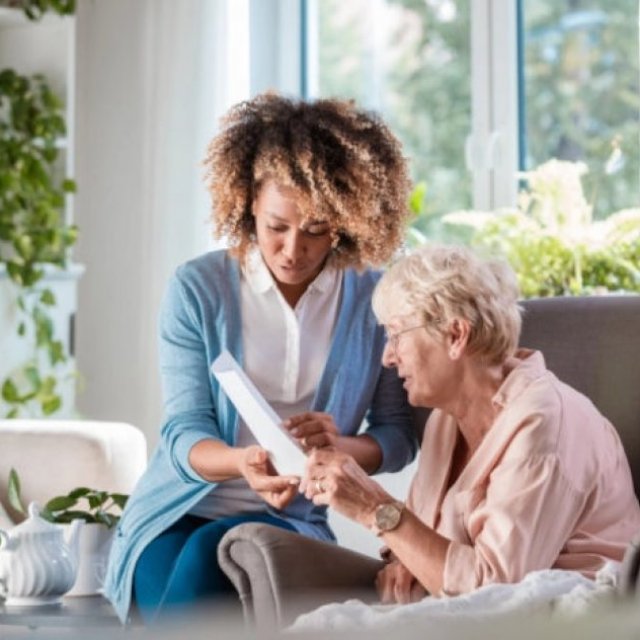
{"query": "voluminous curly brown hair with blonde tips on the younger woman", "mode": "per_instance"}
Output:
(344, 162)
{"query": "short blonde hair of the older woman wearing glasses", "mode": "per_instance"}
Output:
(440, 283)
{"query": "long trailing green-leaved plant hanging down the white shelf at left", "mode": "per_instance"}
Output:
(35, 238)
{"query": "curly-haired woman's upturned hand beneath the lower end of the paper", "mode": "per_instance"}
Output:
(257, 469)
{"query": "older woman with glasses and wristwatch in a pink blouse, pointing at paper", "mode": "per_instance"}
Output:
(518, 471)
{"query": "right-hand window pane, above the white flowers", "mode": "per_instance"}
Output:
(582, 93)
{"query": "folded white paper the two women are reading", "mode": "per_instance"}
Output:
(265, 424)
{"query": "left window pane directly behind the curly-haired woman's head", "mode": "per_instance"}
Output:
(409, 60)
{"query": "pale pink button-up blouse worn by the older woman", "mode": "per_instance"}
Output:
(549, 486)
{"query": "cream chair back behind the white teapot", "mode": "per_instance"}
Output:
(54, 456)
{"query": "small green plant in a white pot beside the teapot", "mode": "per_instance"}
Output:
(100, 511)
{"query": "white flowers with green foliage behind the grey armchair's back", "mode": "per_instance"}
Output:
(552, 241)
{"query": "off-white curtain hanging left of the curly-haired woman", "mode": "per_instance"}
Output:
(146, 108)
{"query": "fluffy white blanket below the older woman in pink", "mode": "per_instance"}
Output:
(553, 590)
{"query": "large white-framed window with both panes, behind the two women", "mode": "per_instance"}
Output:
(477, 90)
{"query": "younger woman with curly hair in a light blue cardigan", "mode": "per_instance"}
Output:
(309, 195)
